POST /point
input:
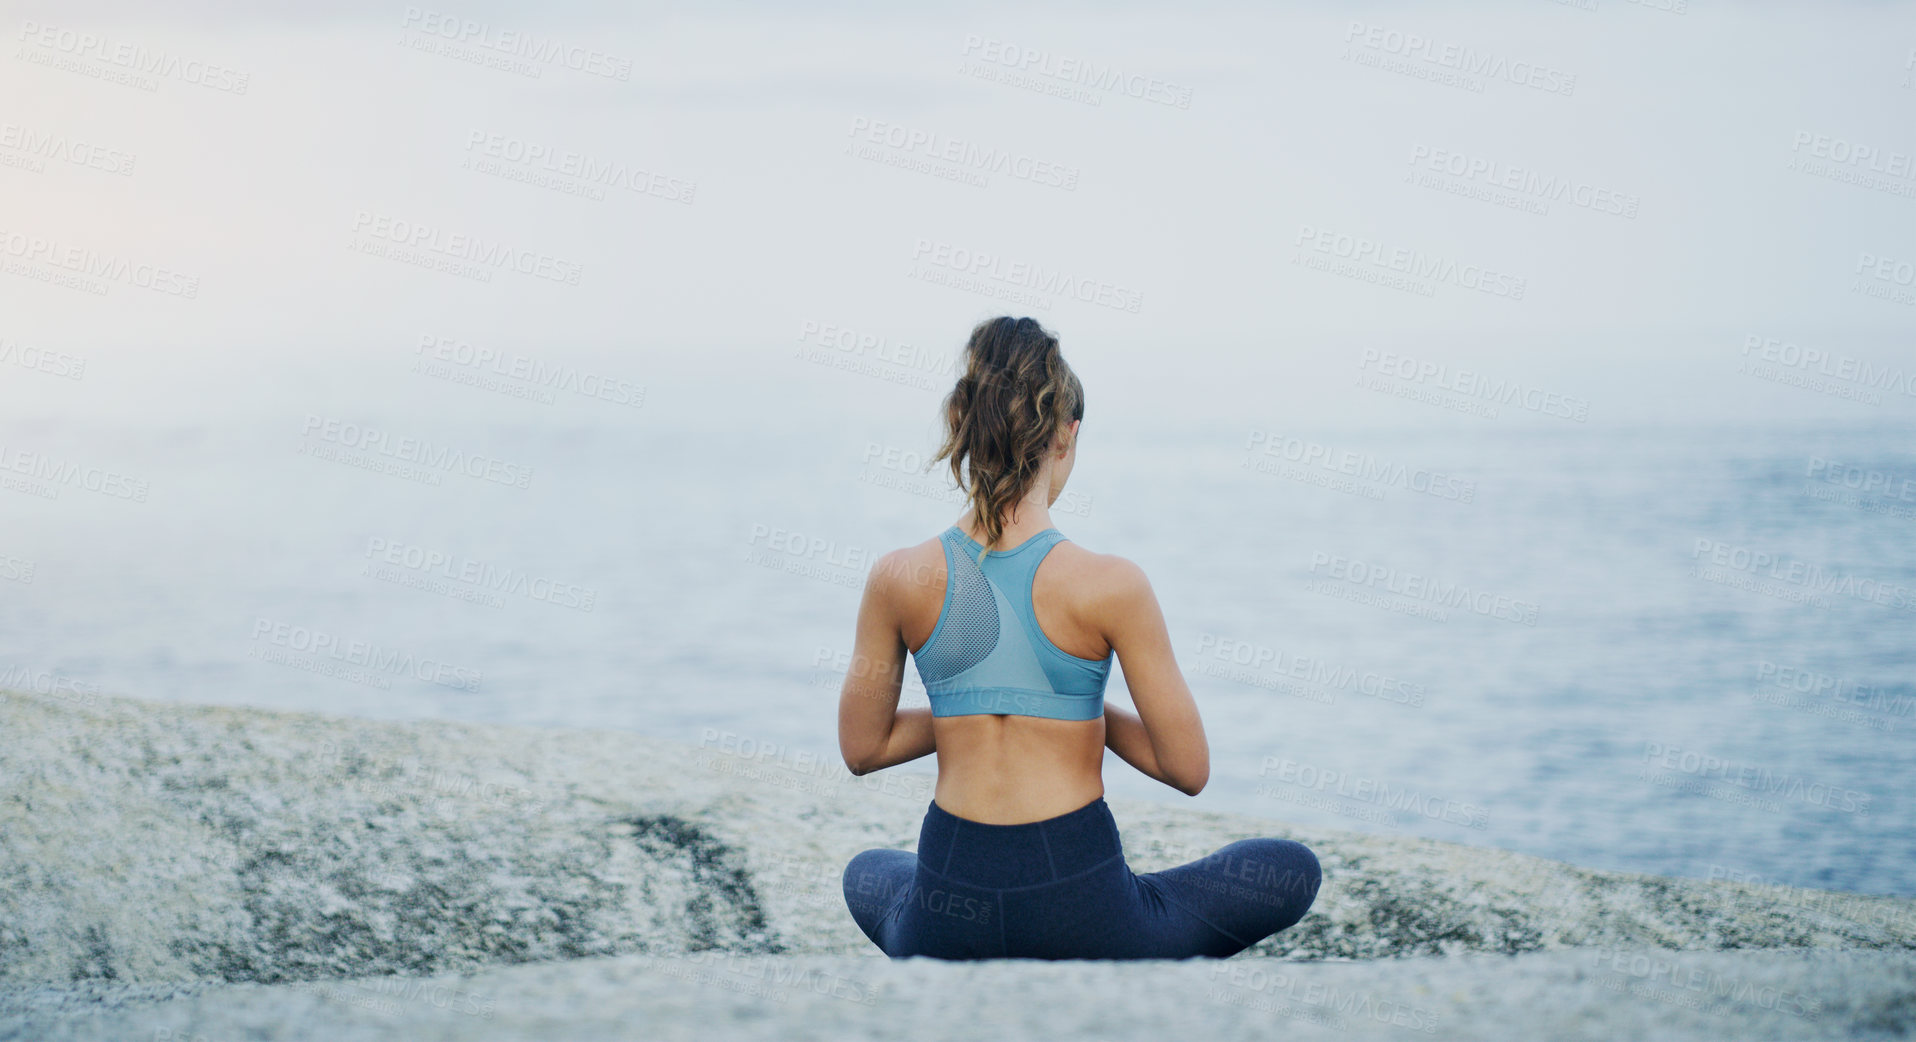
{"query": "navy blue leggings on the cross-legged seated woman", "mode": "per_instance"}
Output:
(1061, 890)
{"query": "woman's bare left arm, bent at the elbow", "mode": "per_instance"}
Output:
(873, 731)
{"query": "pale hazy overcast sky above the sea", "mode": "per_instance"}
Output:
(1716, 166)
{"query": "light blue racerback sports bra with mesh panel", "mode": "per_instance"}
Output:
(988, 652)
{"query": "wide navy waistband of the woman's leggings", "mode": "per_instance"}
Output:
(1024, 855)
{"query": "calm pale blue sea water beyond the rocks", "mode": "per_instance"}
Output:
(1658, 650)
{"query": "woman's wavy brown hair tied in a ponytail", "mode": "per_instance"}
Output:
(1005, 413)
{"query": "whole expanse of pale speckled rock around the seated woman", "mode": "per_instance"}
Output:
(246, 869)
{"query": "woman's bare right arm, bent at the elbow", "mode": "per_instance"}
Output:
(1166, 736)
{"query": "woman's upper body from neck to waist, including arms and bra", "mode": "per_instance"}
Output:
(1016, 756)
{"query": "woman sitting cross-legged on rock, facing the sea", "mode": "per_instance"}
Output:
(1015, 631)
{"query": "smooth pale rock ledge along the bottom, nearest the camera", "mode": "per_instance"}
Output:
(718, 997)
